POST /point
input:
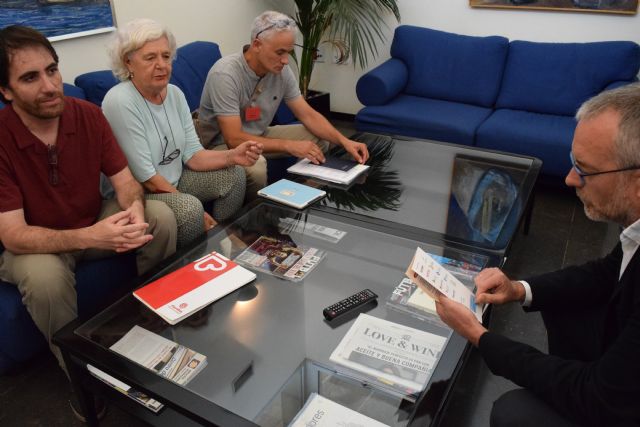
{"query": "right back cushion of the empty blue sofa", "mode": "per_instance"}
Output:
(556, 78)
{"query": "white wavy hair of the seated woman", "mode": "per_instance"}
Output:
(131, 37)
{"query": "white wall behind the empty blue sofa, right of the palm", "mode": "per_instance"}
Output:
(456, 16)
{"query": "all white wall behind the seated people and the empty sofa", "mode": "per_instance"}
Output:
(227, 23)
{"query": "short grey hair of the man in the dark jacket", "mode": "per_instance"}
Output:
(624, 100)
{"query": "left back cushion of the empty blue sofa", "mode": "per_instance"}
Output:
(449, 66)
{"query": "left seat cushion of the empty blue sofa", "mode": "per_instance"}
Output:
(424, 118)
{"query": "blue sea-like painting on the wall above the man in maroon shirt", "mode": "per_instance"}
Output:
(59, 19)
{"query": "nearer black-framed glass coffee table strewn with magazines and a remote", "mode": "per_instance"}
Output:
(267, 343)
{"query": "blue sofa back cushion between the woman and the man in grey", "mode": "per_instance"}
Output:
(190, 69)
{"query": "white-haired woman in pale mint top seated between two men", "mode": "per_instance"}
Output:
(153, 125)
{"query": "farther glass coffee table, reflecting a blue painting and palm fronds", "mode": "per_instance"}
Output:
(437, 190)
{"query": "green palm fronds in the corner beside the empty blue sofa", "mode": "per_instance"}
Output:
(353, 25)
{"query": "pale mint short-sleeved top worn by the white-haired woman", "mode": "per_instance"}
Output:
(148, 132)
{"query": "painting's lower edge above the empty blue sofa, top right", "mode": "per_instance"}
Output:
(628, 7)
